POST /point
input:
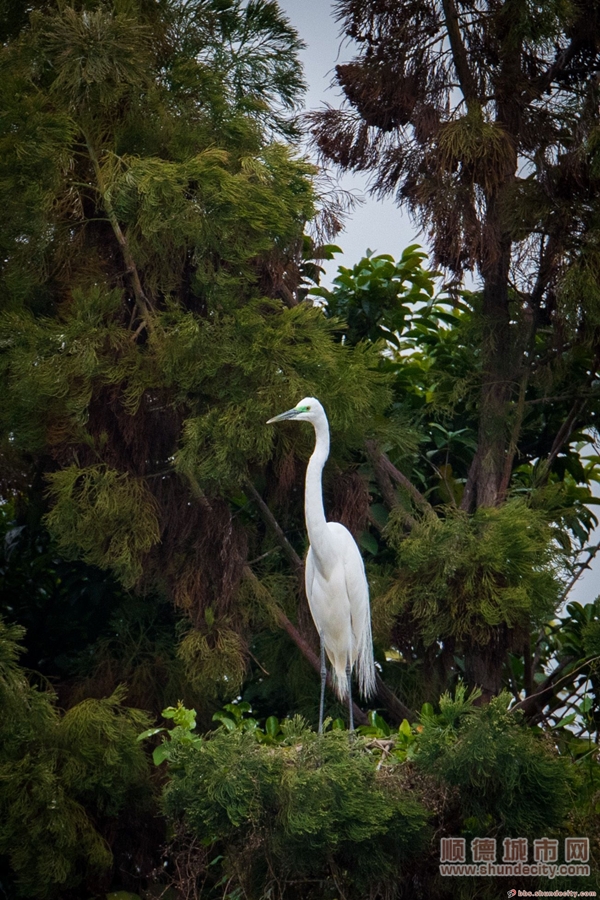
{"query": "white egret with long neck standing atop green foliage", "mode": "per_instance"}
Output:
(336, 584)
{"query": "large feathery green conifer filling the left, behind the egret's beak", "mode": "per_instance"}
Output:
(145, 341)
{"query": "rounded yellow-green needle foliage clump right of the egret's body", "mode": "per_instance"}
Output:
(462, 576)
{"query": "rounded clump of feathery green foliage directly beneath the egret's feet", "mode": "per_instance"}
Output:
(307, 817)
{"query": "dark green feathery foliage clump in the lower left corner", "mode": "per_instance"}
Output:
(60, 775)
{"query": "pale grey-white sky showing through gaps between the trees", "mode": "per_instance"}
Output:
(377, 225)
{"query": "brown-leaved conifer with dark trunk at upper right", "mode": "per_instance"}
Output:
(483, 119)
